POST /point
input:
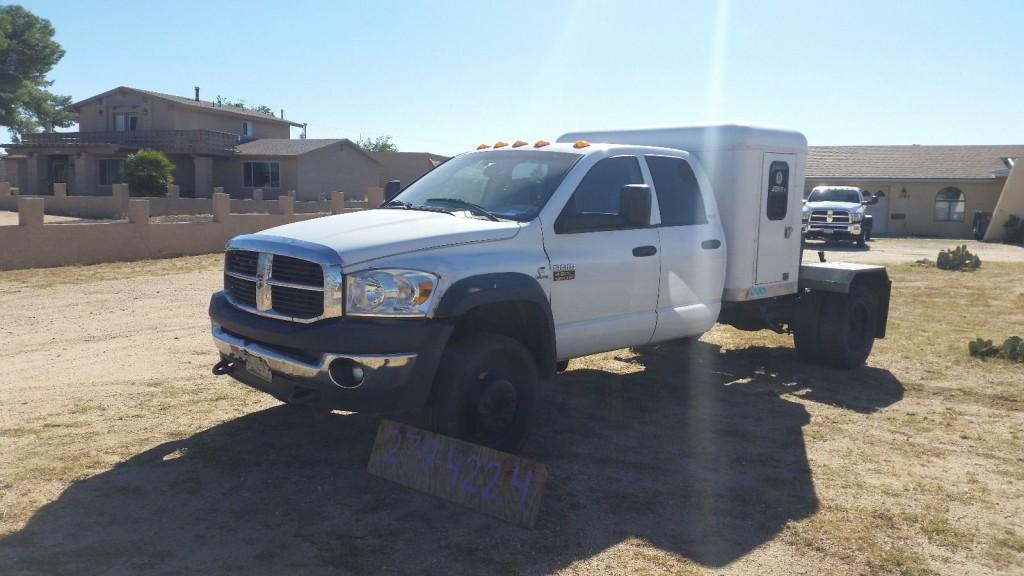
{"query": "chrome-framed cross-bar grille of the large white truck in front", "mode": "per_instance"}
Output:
(278, 285)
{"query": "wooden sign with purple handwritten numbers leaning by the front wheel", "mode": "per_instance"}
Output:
(486, 480)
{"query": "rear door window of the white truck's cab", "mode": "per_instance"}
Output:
(678, 191)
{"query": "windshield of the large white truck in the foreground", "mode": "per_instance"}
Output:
(511, 185)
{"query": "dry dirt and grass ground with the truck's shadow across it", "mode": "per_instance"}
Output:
(120, 454)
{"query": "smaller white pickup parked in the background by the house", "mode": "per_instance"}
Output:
(838, 213)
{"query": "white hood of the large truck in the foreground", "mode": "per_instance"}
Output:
(369, 235)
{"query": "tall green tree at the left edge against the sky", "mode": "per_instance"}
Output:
(28, 53)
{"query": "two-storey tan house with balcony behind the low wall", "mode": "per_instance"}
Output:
(210, 146)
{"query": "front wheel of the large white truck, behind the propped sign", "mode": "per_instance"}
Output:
(485, 392)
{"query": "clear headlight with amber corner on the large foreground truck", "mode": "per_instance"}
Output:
(390, 293)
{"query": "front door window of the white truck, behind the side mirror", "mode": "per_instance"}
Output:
(595, 203)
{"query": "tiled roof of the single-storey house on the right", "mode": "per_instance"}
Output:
(910, 162)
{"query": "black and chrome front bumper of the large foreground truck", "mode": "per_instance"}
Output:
(382, 366)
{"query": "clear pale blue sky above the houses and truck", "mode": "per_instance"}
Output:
(445, 76)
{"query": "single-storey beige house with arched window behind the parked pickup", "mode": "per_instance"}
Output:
(929, 190)
